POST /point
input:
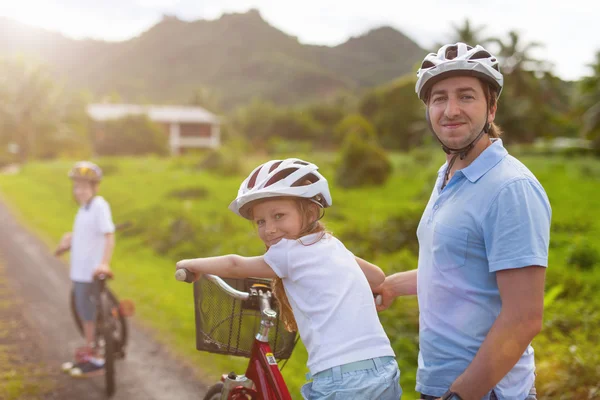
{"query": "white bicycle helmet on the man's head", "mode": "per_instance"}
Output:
(458, 59)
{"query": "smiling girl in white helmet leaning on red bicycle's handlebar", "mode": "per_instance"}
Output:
(324, 291)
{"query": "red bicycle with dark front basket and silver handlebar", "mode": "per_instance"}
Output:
(228, 312)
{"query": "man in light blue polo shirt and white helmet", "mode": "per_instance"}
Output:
(483, 242)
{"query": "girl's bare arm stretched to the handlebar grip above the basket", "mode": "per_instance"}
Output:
(229, 266)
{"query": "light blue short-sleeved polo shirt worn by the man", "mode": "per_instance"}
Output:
(493, 215)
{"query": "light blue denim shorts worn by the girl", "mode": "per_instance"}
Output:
(382, 382)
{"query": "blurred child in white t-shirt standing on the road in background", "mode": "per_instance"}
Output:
(91, 243)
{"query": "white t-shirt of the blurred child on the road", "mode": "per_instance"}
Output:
(92, 222)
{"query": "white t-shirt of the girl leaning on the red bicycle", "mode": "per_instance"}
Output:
(331, 300)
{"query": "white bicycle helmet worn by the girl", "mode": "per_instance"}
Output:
(282, 178)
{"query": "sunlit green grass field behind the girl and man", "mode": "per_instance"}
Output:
(180, 211)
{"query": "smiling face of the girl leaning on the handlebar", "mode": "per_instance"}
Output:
(277, 219)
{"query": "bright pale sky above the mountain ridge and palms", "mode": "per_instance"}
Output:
(570, 30)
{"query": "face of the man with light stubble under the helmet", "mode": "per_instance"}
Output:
(458, 110)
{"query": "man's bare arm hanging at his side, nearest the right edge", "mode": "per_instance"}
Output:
(520, 320)
